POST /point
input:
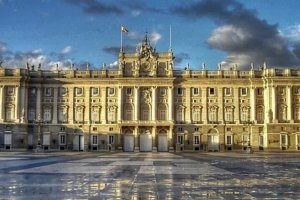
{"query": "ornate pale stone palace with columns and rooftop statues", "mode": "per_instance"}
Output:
(146, 105)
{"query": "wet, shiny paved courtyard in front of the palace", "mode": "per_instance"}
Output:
(74, 175)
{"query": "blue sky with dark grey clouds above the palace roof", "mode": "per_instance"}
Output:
(230, 32)
